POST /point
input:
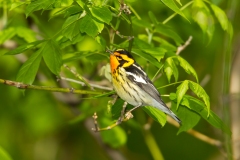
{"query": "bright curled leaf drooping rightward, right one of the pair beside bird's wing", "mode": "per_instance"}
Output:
(200, 92)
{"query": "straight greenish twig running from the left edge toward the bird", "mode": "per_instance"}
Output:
(20, 85)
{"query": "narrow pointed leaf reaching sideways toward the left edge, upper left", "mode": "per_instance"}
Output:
(24, 47)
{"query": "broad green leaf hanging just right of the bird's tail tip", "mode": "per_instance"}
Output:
(188, 117)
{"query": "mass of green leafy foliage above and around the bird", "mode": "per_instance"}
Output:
(77, 32)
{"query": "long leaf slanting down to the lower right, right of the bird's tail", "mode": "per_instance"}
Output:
(200, 108)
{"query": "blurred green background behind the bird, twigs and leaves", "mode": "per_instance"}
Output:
(39, 125)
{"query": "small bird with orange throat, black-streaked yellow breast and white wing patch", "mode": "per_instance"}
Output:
(133, 85)
